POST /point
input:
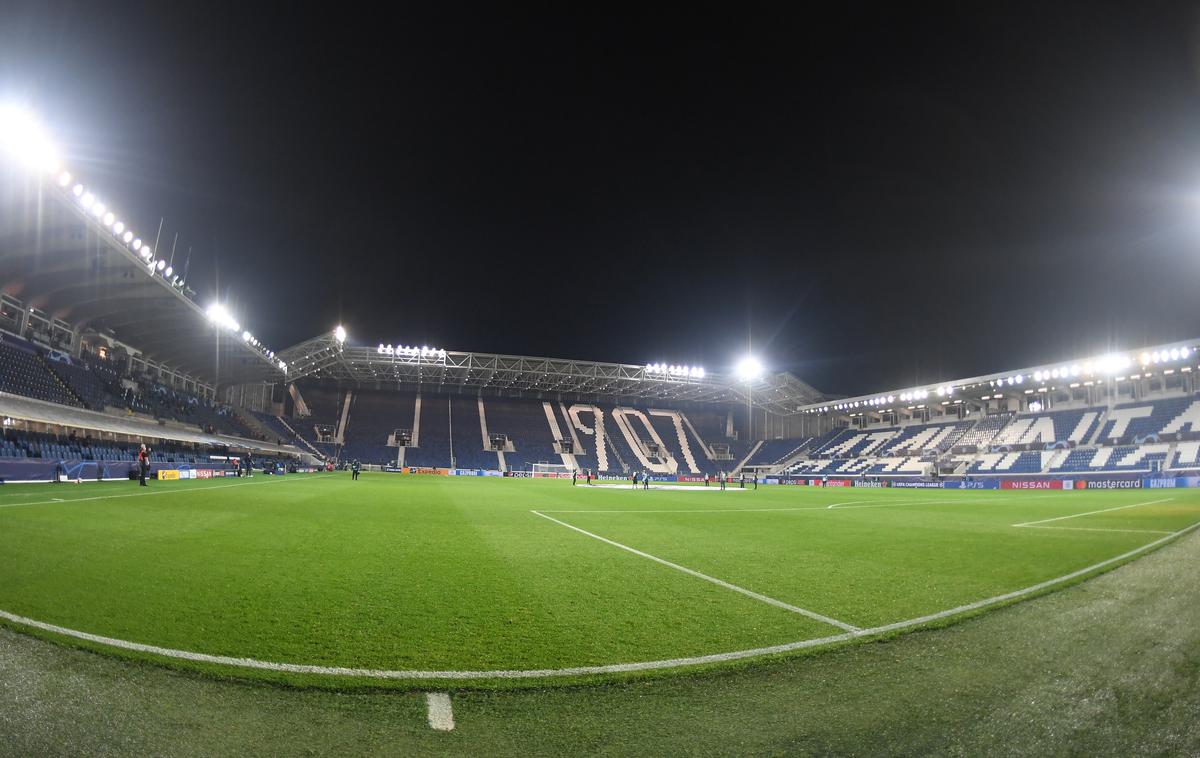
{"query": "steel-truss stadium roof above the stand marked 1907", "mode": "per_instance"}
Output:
(332, 359)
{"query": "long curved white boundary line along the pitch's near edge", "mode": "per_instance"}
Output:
(581, 671)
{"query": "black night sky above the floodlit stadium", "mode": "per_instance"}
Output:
(873, 198)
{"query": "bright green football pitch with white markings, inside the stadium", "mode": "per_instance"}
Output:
(401, 581)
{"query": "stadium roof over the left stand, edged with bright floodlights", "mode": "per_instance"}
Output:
(79, 264)
